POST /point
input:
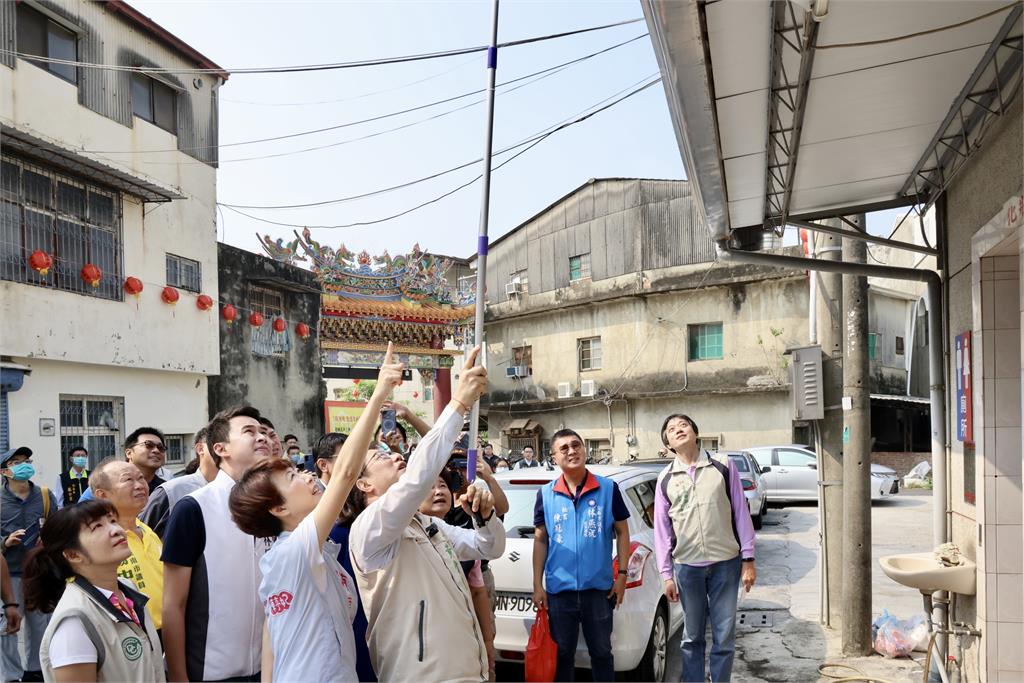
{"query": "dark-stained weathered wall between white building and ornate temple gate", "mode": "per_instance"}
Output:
(288, 389)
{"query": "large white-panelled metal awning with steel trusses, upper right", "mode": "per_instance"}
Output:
(783, 116)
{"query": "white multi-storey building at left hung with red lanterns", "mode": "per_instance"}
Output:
(94, 362)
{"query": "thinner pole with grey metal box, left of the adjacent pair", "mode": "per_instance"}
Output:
(830, 442)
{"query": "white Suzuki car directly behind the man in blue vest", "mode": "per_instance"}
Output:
(645, 622)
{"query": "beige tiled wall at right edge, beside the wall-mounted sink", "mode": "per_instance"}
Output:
(1001, 567)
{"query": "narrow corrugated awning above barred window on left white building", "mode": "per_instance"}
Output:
(67, 160)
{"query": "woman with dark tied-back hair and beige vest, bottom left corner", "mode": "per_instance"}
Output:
(100, 629)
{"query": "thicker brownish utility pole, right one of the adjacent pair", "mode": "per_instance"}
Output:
(857, 457)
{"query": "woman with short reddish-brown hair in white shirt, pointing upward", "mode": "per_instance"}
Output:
(310, 600)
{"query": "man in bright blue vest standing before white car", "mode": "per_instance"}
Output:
(578, 518)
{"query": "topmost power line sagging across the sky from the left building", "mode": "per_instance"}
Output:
(323, 67)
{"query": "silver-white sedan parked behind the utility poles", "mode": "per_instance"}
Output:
(794, 475)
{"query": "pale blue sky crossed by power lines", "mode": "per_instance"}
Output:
(634, 139)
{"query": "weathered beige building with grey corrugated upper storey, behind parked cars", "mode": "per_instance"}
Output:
(607, 313)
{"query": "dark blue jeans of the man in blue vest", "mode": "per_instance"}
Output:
(593, 611)
